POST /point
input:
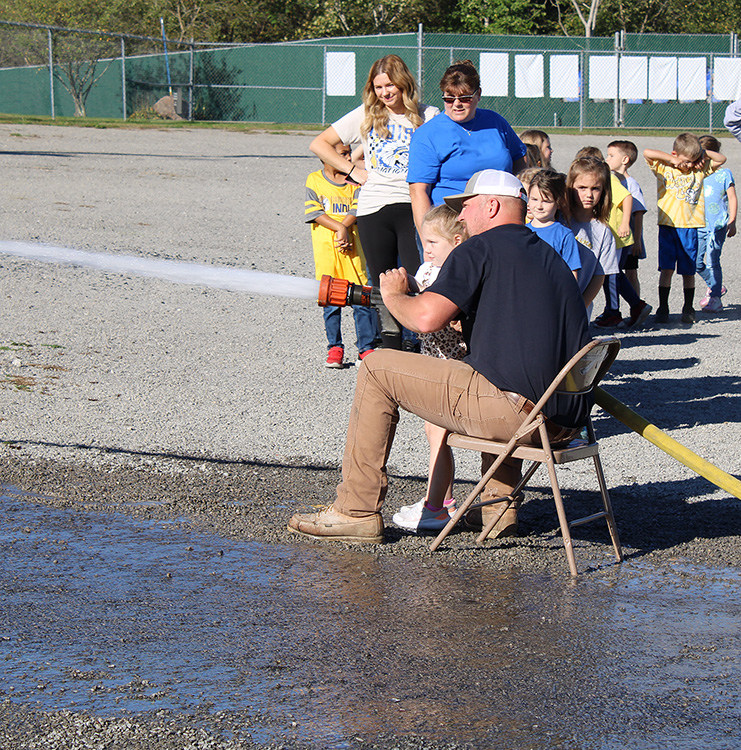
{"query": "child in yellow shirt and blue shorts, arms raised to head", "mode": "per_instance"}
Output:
(681, 203)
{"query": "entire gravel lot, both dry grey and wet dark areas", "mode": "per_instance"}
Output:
(132, 409)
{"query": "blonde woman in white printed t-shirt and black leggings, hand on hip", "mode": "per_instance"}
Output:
(383, 124)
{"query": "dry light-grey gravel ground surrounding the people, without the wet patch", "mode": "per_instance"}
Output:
(165, 401)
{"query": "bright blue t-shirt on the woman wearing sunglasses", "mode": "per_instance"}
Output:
(445, 154)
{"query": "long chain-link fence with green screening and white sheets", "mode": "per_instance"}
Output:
(630, 80)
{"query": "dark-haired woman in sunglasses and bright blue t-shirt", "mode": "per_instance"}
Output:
(448, 149)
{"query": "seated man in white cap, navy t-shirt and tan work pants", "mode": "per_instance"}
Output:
(515, 351)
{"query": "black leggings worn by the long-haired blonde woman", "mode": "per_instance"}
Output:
(388, 239)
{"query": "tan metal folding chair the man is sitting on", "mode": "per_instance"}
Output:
(579, 376)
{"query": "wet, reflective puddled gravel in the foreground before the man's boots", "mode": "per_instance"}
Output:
(324, 646)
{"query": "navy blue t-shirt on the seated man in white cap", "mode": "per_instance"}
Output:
(525, 317)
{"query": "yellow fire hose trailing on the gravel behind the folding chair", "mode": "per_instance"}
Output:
(661, 440)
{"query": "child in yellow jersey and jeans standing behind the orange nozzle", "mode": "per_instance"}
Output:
(330, 208)
